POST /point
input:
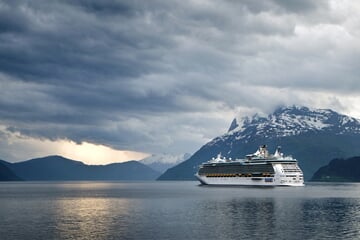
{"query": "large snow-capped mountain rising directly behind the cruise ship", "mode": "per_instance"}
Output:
(313, 136)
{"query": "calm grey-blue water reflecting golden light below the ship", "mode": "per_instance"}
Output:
(177, 210)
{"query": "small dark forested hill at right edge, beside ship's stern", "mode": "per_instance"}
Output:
(339, 170)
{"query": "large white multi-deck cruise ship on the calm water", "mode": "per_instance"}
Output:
(257, 169)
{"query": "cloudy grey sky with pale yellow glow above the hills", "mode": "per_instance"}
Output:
(111, 81)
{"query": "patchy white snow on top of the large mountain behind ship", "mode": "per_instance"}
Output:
(288, 121)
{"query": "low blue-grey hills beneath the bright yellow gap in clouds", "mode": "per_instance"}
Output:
(59, 168)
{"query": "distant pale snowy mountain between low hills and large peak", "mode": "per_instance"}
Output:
(162, 162)
